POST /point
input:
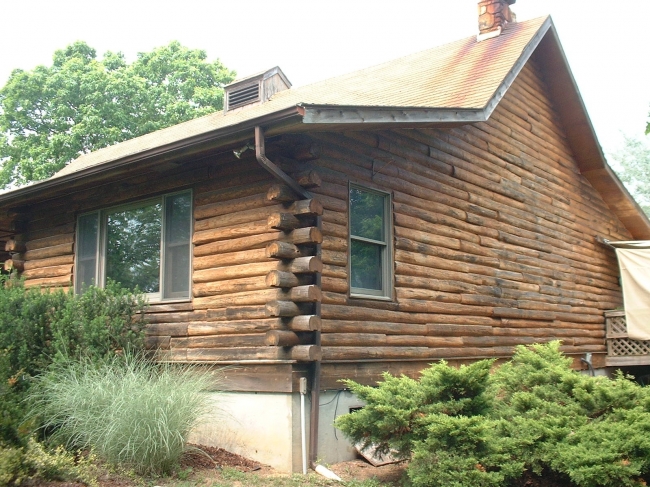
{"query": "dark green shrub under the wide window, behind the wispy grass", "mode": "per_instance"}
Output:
(39, 326)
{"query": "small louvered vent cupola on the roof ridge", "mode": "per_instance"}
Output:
(255, 89)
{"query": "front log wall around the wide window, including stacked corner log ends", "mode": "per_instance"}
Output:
(253, 268)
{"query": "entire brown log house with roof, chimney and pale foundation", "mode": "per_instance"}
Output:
(447, 205)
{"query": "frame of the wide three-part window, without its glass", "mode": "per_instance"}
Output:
(100, 255)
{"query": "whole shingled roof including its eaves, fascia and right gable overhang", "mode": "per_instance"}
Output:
(457, 83)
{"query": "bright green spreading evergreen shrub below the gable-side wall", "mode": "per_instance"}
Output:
(467, 427)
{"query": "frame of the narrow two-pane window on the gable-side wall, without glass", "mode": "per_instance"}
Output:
(386, 293)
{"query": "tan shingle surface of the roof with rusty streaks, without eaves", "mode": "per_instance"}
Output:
(461, 75)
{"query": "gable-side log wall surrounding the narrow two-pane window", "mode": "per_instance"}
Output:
(493, 238)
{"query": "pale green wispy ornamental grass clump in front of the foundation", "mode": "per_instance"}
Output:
(128, 410)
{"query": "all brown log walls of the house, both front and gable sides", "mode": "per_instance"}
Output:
(493, 247)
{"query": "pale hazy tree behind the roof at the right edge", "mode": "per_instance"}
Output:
(634, 169)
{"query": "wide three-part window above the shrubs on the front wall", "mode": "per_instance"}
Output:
(145, 244)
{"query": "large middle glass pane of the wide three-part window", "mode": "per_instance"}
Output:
(133, 247)
